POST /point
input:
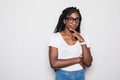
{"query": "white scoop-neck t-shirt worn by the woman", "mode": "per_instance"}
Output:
(66, 51)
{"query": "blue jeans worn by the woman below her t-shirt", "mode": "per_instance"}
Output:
(70, 75)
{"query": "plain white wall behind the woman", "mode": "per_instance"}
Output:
(25, 27)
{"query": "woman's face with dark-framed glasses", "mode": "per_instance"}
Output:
(72, 21)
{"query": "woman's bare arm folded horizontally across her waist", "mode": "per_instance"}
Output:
(60, 63)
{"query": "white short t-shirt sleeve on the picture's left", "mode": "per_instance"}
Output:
(53, 40)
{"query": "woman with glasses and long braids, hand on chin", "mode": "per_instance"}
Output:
(69, 50)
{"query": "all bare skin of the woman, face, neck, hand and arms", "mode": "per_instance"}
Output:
(68, 36)
